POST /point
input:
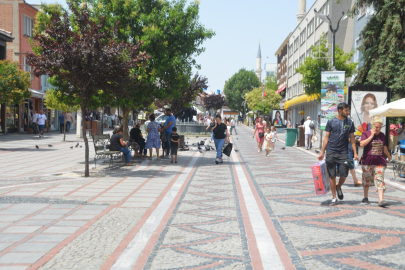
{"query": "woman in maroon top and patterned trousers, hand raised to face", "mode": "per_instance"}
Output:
(374, 160)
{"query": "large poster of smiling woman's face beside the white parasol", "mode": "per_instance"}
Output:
(362, 103)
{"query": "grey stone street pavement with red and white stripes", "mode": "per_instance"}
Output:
(251, 212)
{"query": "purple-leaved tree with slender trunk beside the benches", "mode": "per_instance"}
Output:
(85, 56)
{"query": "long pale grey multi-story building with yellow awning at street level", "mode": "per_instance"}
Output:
(308, 32)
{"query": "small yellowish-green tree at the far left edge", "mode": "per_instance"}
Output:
(14, 83)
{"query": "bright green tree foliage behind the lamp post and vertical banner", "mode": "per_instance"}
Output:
(313, 65)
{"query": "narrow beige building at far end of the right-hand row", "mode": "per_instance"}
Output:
(282, 56)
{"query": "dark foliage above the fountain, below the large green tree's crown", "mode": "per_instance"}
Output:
(183, 98)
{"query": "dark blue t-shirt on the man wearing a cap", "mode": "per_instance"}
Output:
(340, 131)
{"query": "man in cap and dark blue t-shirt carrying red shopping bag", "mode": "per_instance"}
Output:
(338, 130)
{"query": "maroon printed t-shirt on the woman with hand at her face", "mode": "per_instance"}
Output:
(373, 153)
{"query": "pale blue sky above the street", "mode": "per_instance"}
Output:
(239, 26)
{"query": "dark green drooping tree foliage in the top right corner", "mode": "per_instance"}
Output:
(383, 45)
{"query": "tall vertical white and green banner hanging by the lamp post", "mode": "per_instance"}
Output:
(332, 93)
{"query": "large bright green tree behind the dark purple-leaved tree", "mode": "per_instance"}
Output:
(171, 33)
